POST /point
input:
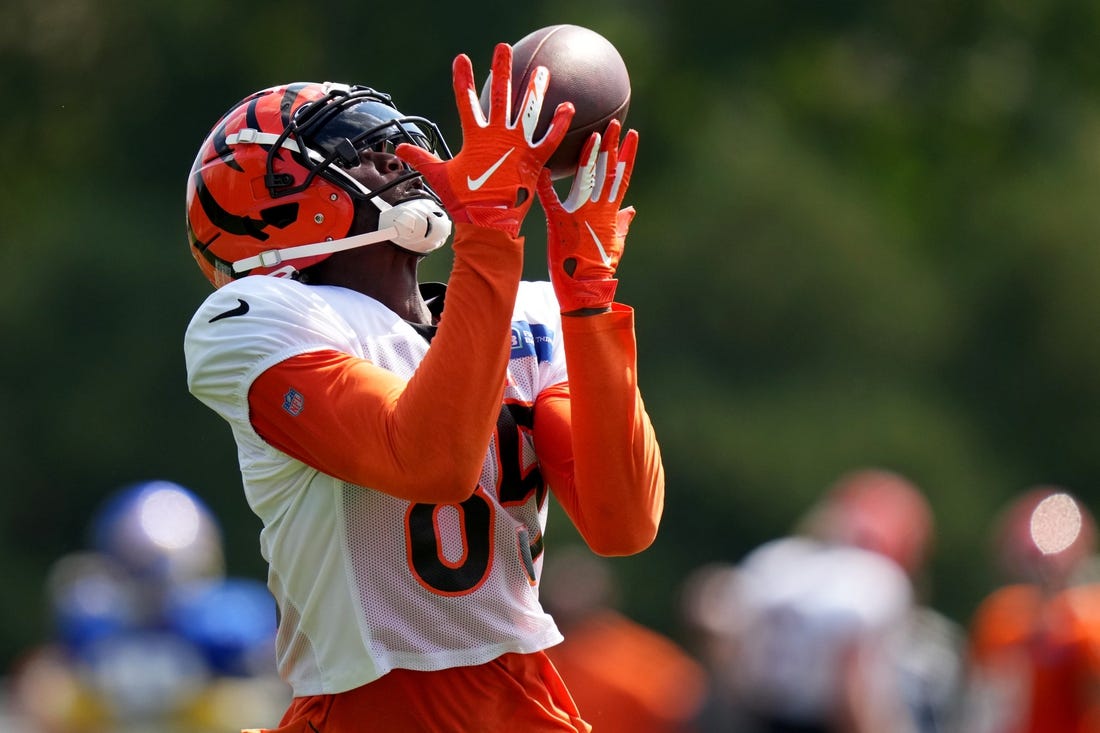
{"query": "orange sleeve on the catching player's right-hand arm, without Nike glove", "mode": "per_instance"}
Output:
(597, 446)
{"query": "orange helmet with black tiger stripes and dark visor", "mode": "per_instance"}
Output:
(271, 187)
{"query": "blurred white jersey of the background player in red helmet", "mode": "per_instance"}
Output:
(801, 606)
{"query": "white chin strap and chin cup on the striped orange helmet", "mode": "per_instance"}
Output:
(420, 225)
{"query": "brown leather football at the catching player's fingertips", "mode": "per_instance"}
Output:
(587, 70)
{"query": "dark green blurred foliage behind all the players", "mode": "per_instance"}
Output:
(866, 236)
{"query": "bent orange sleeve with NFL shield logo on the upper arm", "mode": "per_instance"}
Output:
(424, 441)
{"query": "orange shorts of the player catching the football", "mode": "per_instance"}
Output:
(513, 693)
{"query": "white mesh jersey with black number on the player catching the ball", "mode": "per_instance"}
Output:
(392, 584)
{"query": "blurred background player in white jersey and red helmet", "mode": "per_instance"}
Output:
(826, 620)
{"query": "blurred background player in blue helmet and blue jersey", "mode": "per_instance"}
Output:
(149, 633)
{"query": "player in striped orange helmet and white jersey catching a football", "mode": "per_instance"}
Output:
(400, 452)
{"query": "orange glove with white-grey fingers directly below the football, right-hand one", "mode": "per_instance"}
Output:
(587, 233)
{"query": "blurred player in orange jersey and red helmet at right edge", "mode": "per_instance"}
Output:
(1036, 642)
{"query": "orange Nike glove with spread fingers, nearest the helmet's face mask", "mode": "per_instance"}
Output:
(491, 182)
